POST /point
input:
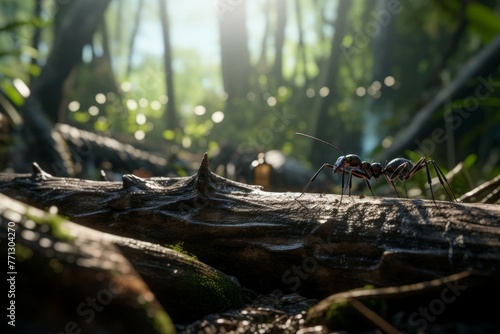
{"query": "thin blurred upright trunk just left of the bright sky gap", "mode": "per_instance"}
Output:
(170, 112)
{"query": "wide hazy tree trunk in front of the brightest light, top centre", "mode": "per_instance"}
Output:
(235, 59)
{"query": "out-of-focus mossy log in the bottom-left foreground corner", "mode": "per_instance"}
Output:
(66, 278)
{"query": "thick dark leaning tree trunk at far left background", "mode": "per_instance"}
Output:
(75, 24)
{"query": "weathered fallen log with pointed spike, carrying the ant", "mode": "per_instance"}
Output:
(279, 241)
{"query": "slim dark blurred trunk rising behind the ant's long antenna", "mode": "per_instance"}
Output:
(321, 117)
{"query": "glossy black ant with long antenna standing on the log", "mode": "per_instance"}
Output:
(400, 168)
